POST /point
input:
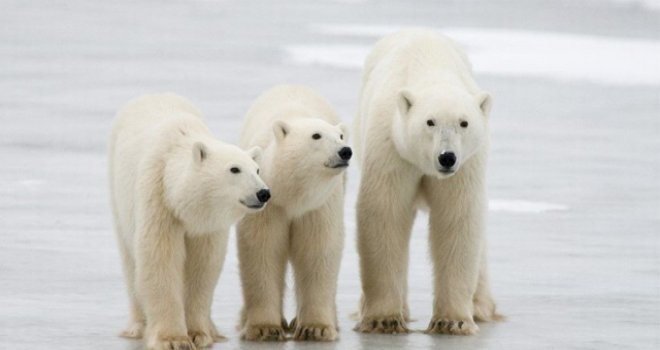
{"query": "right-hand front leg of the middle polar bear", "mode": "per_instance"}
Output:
(316, 247)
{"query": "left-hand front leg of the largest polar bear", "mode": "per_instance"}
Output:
(385, 213)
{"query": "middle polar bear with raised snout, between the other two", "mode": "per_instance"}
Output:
(305, 155)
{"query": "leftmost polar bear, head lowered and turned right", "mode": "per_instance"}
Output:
(175, 191)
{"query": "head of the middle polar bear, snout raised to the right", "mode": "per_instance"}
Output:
(312, 146)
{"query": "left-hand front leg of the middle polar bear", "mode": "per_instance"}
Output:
(263, 240)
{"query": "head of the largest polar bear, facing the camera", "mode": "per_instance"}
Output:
(439, 130)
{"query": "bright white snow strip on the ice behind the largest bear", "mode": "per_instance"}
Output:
(557, 56)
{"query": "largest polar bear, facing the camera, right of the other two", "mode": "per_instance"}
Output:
(422, 138)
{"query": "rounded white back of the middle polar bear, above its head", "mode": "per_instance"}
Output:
(283, 102)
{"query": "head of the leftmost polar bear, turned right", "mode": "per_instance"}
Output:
(216, 185)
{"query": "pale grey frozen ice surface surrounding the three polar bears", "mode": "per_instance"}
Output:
(574, 173)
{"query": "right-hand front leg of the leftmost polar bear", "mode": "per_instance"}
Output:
(205, 256)
